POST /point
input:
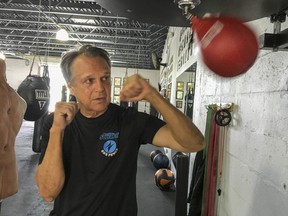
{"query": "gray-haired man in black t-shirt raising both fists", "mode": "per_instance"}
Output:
(88, 162)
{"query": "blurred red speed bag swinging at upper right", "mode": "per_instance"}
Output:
(227, 46)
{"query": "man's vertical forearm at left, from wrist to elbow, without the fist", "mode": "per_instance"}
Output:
(50, 174)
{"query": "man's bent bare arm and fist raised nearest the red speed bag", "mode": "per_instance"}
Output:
(179, 133)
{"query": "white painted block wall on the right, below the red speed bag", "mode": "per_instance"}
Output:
(256, 154)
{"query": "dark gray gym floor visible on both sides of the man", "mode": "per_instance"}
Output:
(27, 202)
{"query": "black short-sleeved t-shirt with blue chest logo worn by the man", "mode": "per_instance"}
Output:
(100, 161)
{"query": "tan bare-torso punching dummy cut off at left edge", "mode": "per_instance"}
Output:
(12, 109)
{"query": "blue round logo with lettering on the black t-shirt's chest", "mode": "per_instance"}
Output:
(109, 146)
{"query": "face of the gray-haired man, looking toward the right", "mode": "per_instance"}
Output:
(91, 84)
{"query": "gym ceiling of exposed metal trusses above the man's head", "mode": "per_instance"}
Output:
(28, 28)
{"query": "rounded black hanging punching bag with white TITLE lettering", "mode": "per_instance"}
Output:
(35, 91)
